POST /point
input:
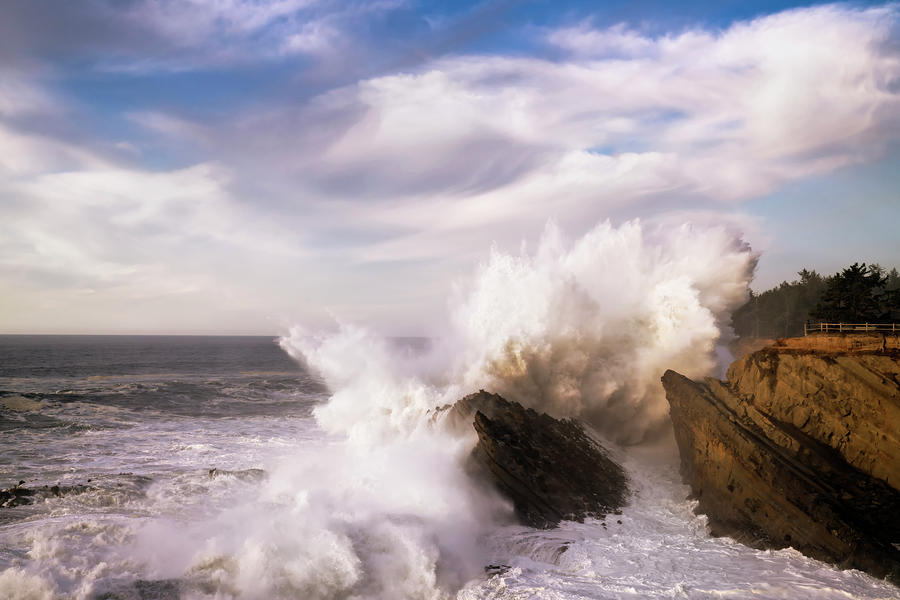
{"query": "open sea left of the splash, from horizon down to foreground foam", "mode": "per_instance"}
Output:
(135, 423)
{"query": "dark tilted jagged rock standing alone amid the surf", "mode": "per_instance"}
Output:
(550, 469)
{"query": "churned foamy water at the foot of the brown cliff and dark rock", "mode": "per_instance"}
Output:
(658, 548)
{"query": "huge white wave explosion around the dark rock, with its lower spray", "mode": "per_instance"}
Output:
(574, 329)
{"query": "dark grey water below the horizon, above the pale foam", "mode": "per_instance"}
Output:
(58, 394)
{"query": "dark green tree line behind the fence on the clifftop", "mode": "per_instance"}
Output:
(858, 294)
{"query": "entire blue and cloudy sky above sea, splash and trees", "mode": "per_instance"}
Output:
(238, 166)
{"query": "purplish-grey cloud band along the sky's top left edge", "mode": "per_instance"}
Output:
(147, 36)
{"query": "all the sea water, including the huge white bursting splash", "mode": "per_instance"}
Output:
(333, 478)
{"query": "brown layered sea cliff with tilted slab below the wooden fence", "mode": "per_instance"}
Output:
(798, 448)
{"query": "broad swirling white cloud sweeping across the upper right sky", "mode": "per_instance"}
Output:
(697, 117)
